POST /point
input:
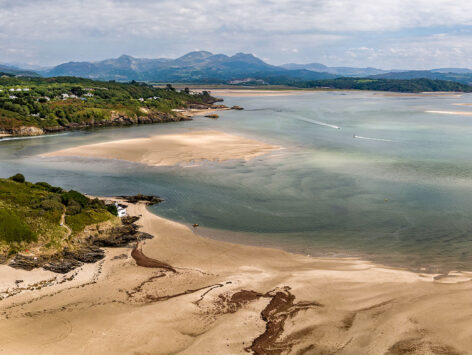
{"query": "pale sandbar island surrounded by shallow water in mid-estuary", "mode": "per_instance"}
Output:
(173, 149)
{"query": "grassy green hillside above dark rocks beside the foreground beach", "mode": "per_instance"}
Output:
(30, 214)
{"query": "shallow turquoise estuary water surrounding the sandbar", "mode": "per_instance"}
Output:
(361, 174)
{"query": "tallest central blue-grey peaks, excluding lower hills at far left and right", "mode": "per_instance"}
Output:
(194, 66)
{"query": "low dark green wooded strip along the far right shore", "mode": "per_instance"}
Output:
(395, 85)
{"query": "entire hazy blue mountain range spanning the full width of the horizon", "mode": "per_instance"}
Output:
(241, 68)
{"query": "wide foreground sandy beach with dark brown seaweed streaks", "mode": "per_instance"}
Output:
(223, 298)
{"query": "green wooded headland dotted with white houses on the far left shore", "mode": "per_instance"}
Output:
(61, 103)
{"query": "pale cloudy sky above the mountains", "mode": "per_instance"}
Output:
(387, 34)
